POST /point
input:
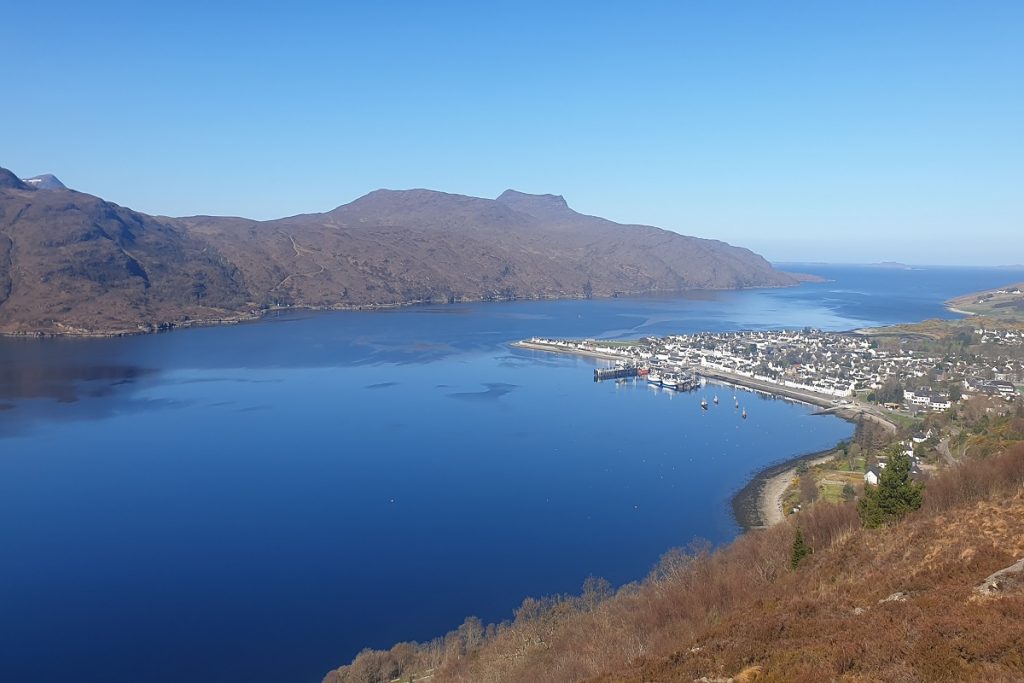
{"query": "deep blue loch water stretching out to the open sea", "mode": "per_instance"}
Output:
(260, 502)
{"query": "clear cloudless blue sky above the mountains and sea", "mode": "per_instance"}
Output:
(833, 132)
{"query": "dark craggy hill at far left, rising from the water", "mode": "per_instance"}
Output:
(72, 264)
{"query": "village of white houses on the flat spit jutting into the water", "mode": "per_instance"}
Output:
(897, 376)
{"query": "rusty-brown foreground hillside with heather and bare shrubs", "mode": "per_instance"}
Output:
(906, 603)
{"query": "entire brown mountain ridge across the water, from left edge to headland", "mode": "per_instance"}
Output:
(73, 264)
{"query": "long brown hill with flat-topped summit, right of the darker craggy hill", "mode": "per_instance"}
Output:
(392, 247)
